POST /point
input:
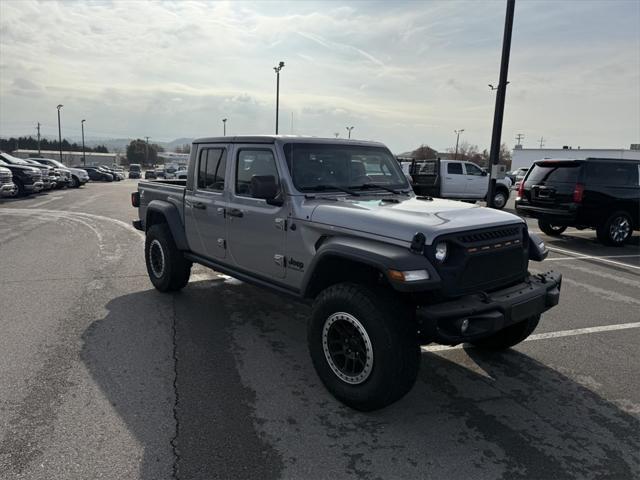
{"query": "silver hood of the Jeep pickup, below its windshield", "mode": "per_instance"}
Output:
(403, 220)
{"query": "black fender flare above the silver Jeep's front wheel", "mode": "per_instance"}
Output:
(382, 256)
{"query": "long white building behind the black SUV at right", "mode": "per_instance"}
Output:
(524, 157)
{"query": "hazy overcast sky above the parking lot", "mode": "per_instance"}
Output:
(404, 73)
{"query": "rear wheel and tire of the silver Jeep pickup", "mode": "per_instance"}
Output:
(168, 270)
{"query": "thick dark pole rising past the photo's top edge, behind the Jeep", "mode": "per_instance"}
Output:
(498, 115)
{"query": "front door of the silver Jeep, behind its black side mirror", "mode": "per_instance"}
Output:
(256, 230)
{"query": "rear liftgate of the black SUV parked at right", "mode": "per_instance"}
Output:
(552, 183)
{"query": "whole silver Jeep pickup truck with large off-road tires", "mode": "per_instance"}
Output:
(335, 223)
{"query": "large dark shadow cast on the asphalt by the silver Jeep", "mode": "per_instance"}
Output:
(216, 382)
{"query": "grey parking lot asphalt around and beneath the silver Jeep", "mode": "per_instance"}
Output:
(101, 376)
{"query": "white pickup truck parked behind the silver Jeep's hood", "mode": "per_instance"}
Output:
(456, 179)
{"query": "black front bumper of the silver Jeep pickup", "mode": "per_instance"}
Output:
(489, 313)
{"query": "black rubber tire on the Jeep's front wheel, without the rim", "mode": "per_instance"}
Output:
(390, 327)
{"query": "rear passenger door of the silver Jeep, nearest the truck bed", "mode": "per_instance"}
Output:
(205, 203)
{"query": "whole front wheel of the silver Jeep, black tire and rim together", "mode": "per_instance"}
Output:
(363, 345)
